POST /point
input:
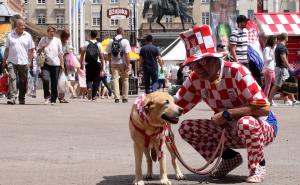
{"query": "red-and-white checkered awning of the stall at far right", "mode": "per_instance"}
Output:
(277, 23)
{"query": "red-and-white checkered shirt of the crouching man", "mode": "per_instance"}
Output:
(236, 88)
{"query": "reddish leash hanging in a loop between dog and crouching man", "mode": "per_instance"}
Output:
(199, 171)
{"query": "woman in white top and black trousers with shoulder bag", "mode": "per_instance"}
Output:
(54, 64)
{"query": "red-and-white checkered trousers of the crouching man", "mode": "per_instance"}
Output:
(247, 132)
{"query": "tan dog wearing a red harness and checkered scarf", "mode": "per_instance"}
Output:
(147, 119)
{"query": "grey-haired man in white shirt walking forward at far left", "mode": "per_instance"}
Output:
(18, 55)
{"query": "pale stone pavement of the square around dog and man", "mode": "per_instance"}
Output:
(88, 143)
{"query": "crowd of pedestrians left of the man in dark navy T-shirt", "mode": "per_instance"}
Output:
(62, 72)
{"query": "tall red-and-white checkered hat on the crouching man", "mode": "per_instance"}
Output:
(199, 43)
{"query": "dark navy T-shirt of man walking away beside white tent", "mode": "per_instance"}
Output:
(149, 53)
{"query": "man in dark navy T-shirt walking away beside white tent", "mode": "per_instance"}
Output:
(149, 59)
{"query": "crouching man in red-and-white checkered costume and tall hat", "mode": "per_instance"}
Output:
(239, 104)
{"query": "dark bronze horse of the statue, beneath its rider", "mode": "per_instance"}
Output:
(159, 12)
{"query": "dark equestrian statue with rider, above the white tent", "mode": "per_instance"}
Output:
(166, 7)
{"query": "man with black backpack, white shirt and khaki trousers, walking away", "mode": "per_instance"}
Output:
(118, 55)
